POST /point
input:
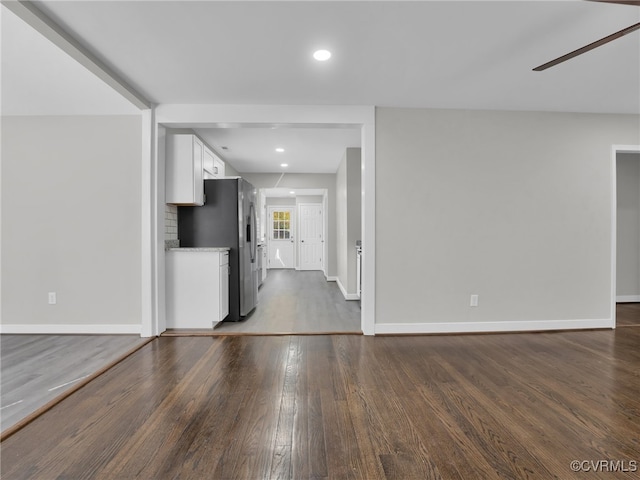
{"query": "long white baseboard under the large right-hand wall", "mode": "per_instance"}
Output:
(476, 327)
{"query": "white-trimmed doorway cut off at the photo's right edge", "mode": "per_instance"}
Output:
(626, 236)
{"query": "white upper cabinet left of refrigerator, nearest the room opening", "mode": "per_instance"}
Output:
(184, 170)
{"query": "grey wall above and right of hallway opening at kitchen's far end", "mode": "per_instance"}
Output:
(295, 181)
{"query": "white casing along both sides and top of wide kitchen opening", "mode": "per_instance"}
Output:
(360, 118)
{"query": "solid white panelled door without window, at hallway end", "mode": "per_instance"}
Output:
(311, 238)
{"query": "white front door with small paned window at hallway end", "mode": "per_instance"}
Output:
(281, 237)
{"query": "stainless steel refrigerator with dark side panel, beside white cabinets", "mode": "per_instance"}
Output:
(227, 219)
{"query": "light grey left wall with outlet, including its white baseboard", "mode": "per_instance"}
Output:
(71, 224)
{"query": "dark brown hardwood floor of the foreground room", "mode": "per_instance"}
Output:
(343, 407)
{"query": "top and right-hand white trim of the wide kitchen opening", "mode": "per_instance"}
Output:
(194, 116)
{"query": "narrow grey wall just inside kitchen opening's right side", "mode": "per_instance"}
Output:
(349, 204)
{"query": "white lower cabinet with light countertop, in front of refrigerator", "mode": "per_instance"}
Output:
(197, 287)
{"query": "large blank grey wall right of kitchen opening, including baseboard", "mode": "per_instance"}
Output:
(512, 206)
